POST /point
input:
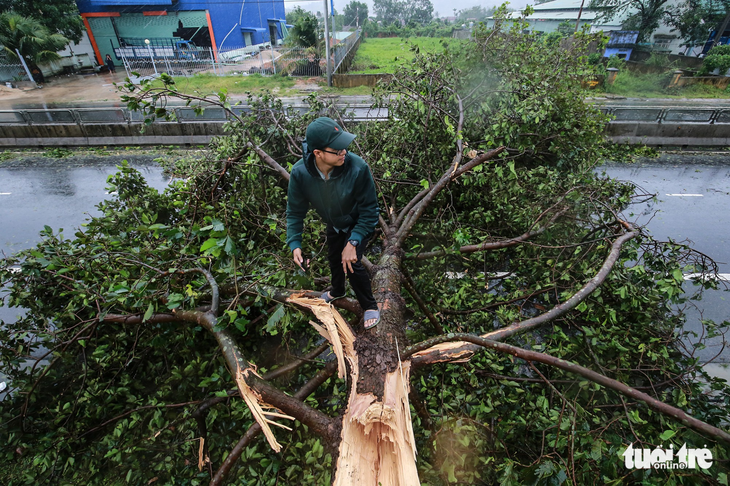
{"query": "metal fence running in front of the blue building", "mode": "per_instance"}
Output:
(183, 59)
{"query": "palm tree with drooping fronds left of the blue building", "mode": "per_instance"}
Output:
(29, 37)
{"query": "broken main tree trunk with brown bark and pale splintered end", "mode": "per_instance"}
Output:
(377, 445)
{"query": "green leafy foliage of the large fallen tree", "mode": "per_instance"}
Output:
(134, 394)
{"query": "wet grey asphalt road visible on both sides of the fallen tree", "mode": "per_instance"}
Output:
(693, 194)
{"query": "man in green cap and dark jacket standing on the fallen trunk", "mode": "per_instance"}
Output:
(339, 186)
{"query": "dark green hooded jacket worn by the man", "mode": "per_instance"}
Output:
(346, 200)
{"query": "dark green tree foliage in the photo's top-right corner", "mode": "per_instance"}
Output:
(695, 19)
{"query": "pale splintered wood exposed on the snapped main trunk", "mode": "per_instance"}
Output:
(377, 443)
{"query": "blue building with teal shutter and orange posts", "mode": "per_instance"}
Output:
(219, 25)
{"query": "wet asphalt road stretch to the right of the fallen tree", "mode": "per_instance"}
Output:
(693, 202)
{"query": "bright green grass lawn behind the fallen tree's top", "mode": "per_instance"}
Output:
(377, 55)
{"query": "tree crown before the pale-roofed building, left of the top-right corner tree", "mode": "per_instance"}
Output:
(642, 15)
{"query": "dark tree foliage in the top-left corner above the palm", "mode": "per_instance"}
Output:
(57, 16)
